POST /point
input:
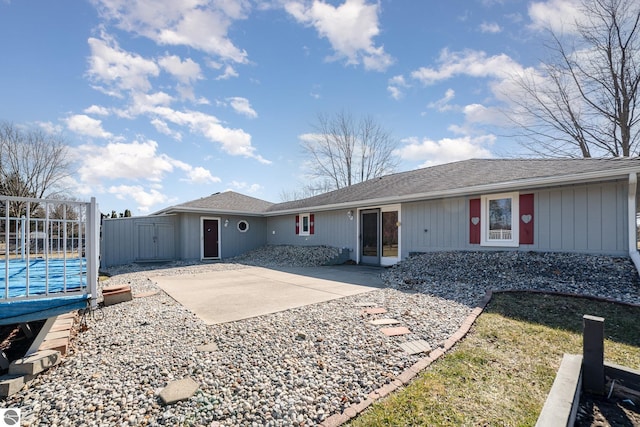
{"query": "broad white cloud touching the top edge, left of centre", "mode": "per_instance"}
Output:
(197, 24)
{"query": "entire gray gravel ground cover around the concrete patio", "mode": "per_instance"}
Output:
(295, 367)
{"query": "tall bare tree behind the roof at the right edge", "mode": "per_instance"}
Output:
(585, 101)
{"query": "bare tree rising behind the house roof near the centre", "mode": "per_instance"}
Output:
(344, 152)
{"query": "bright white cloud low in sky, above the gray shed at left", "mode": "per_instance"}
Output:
(119, 160)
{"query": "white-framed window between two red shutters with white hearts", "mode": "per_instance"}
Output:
(499, 220)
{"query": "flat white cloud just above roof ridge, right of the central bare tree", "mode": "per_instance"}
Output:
(445, 150)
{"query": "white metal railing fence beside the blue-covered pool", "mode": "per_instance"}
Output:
(50, 233)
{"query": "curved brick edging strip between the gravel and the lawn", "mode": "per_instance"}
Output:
(407, 376)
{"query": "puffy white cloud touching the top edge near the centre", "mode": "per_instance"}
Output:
(350, 29)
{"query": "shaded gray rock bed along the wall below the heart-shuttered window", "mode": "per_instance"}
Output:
(466, 276)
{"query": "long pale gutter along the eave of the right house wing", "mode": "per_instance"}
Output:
(464, 191)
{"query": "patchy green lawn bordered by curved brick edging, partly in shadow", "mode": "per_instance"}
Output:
(502, 371)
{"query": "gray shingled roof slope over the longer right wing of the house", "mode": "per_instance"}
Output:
(466, 176)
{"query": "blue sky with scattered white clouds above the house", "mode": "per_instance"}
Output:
(166, 101)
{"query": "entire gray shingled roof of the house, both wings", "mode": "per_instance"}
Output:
(457, 178)
